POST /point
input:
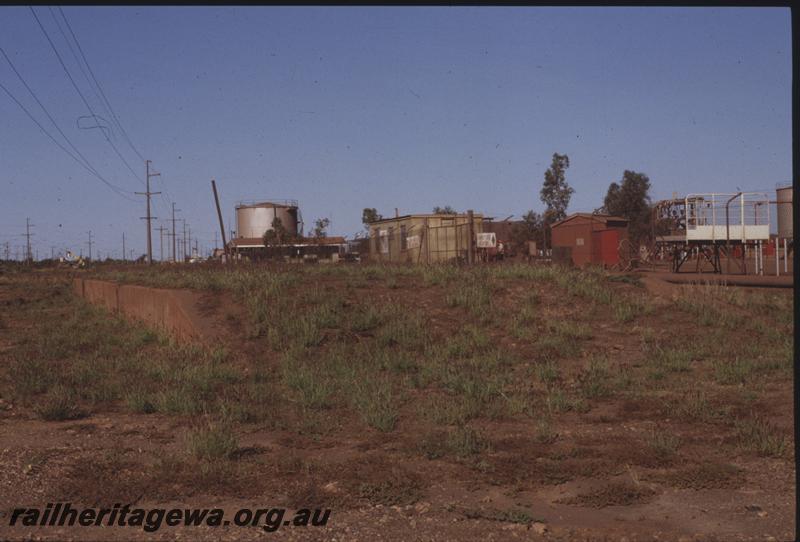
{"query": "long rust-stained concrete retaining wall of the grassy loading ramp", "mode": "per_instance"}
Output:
(176, 312)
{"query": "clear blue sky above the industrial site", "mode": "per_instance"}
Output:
(346, 108)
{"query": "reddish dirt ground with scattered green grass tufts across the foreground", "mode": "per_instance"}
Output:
(565, 447)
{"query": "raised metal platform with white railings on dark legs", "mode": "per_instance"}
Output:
(705, 227)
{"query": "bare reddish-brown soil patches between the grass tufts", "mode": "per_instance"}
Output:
(593, 478)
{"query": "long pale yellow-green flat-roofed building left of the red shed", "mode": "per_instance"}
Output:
(424, 238)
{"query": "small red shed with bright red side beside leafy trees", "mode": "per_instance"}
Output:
(591, 238)
